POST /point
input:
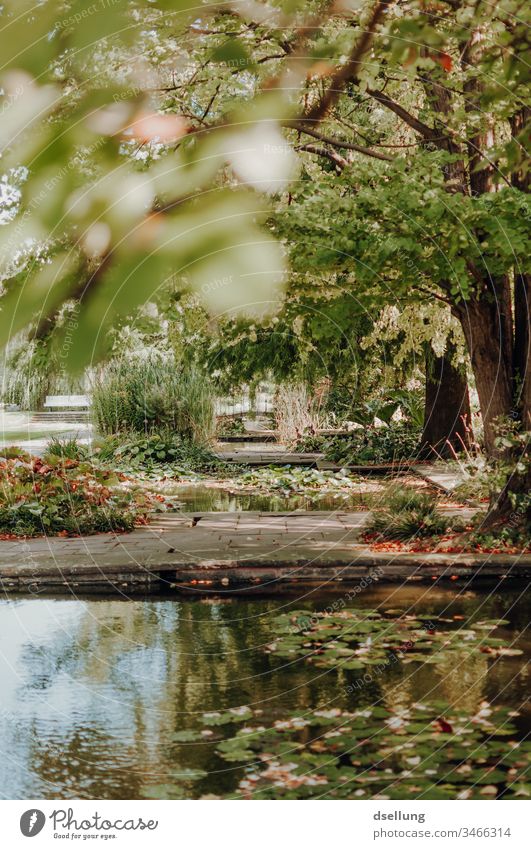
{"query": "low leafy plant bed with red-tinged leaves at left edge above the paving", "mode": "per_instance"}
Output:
(64, 496)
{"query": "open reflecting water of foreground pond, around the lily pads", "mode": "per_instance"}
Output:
(105, 698)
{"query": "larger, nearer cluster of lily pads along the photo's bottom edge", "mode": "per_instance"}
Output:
(393, 757)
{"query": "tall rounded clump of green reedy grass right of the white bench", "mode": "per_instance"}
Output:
(153, 394)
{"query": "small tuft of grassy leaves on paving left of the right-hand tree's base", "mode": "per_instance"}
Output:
(405, 514)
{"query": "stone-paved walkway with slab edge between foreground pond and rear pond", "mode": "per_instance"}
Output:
(225, 551)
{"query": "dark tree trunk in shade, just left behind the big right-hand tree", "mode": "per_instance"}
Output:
(447, 408)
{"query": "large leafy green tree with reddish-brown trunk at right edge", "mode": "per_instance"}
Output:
(464, 62)
